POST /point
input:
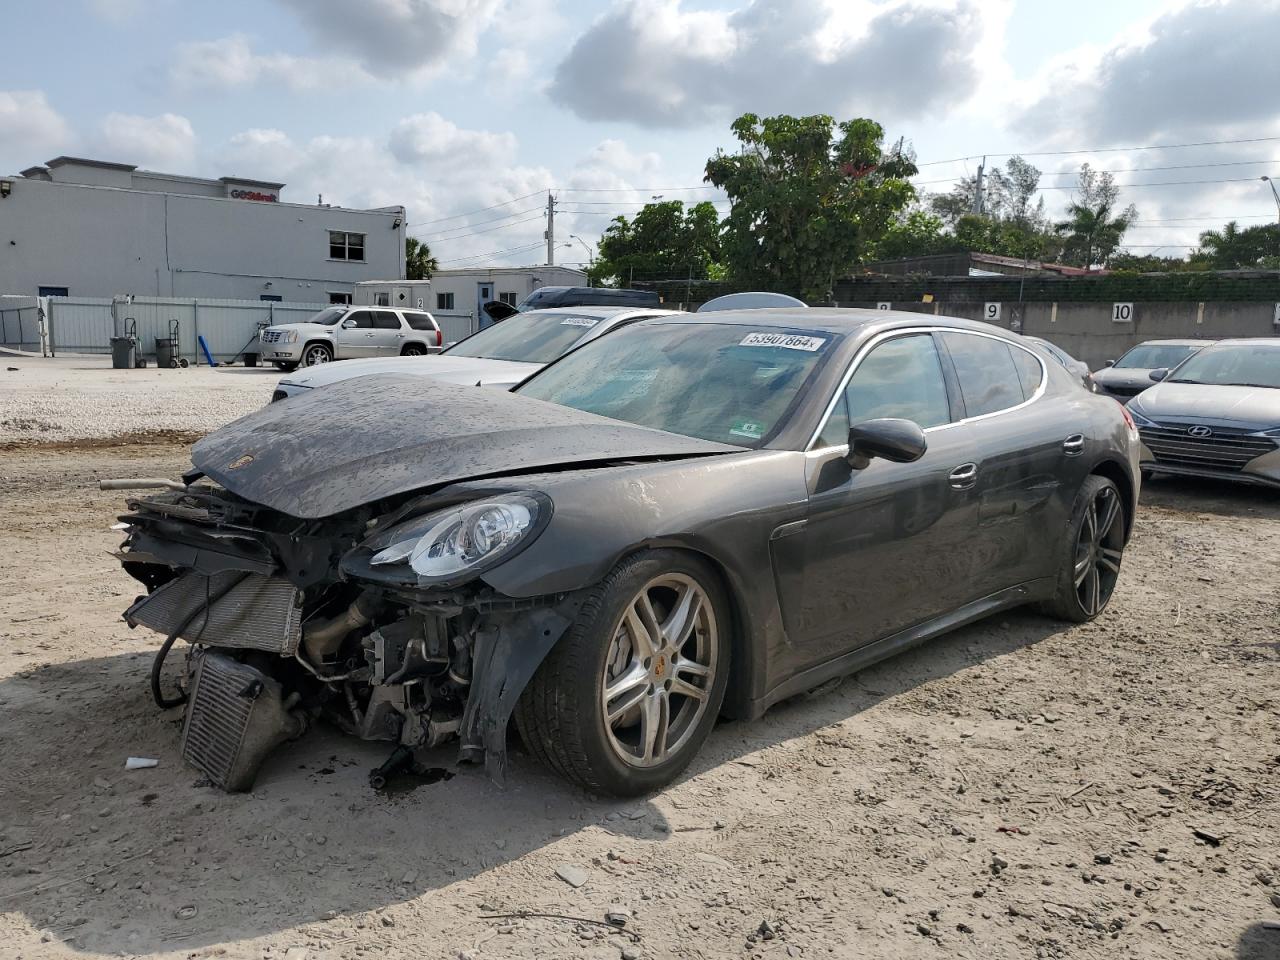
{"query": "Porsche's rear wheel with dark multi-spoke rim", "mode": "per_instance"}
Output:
(1091, 554)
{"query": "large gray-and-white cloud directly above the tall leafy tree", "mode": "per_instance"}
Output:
(657, 65)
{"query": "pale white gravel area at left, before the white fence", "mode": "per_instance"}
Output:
(84, 399)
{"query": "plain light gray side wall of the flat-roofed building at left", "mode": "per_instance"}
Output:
(103, 243)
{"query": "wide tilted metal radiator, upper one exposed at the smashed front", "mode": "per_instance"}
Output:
(259, 614)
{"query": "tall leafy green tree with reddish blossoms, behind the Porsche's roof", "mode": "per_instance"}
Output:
(810, 199)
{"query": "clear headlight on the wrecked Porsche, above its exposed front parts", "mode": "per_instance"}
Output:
(465, 540)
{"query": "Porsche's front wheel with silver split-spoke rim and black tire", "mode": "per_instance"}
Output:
(630, 693)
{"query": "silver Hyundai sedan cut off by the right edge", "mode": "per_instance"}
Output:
(1217, 414)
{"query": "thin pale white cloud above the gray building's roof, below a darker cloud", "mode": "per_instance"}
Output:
(231, 62)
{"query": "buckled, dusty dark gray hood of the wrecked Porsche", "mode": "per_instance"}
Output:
(364, 440)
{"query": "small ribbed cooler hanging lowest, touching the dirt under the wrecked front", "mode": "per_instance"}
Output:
(235, 719)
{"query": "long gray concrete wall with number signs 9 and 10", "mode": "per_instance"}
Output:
(1087, 331)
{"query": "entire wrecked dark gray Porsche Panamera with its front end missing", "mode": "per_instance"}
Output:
(697, 516)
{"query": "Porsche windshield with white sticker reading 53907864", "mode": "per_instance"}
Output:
(733, 383)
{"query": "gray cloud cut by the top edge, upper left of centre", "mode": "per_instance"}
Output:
(396, 38)
